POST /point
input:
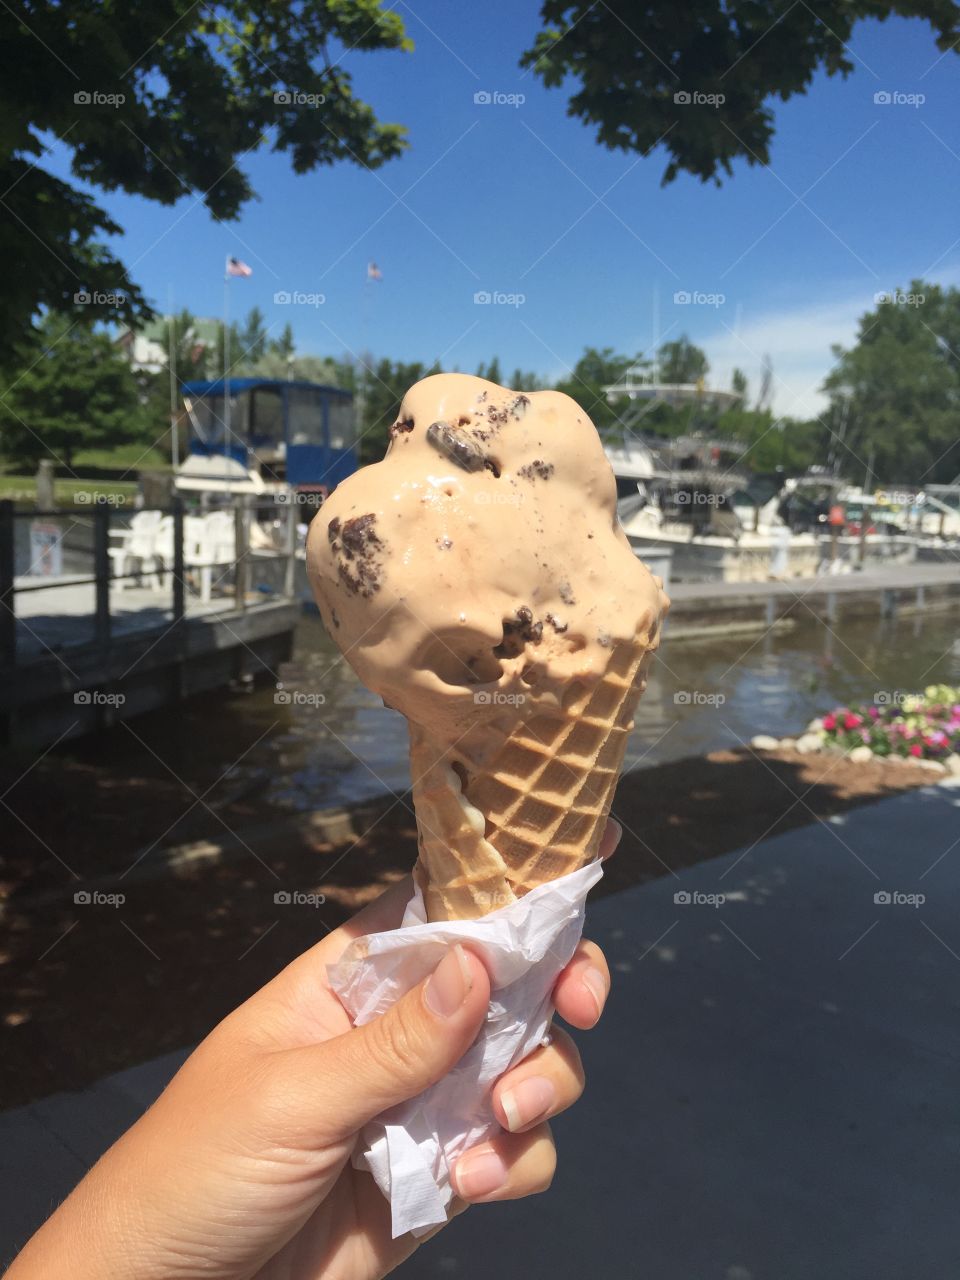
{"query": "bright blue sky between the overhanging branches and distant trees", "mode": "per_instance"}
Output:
(520, 200)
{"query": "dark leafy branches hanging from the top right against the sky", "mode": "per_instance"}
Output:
(641, 67)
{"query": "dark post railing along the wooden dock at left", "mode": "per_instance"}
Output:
(245, 509)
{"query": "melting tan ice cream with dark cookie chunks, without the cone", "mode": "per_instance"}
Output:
(478, 574)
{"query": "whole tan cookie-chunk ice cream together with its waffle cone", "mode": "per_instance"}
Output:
(478, 579)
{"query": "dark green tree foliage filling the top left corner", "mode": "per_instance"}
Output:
(163, 100)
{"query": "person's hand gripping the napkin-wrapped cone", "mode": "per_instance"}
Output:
(243, 1168)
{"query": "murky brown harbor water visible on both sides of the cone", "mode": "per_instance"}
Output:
(324, 740)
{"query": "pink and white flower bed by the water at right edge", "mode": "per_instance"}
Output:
(921, 726)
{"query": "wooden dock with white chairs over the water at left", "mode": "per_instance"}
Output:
(83, 651)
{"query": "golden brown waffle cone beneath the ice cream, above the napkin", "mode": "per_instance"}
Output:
(538, 810)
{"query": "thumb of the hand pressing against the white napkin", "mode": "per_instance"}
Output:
(336, 1087)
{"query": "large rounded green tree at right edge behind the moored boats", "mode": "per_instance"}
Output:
(895, 396)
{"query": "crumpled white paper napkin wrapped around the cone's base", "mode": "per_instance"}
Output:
(410, 1150)
